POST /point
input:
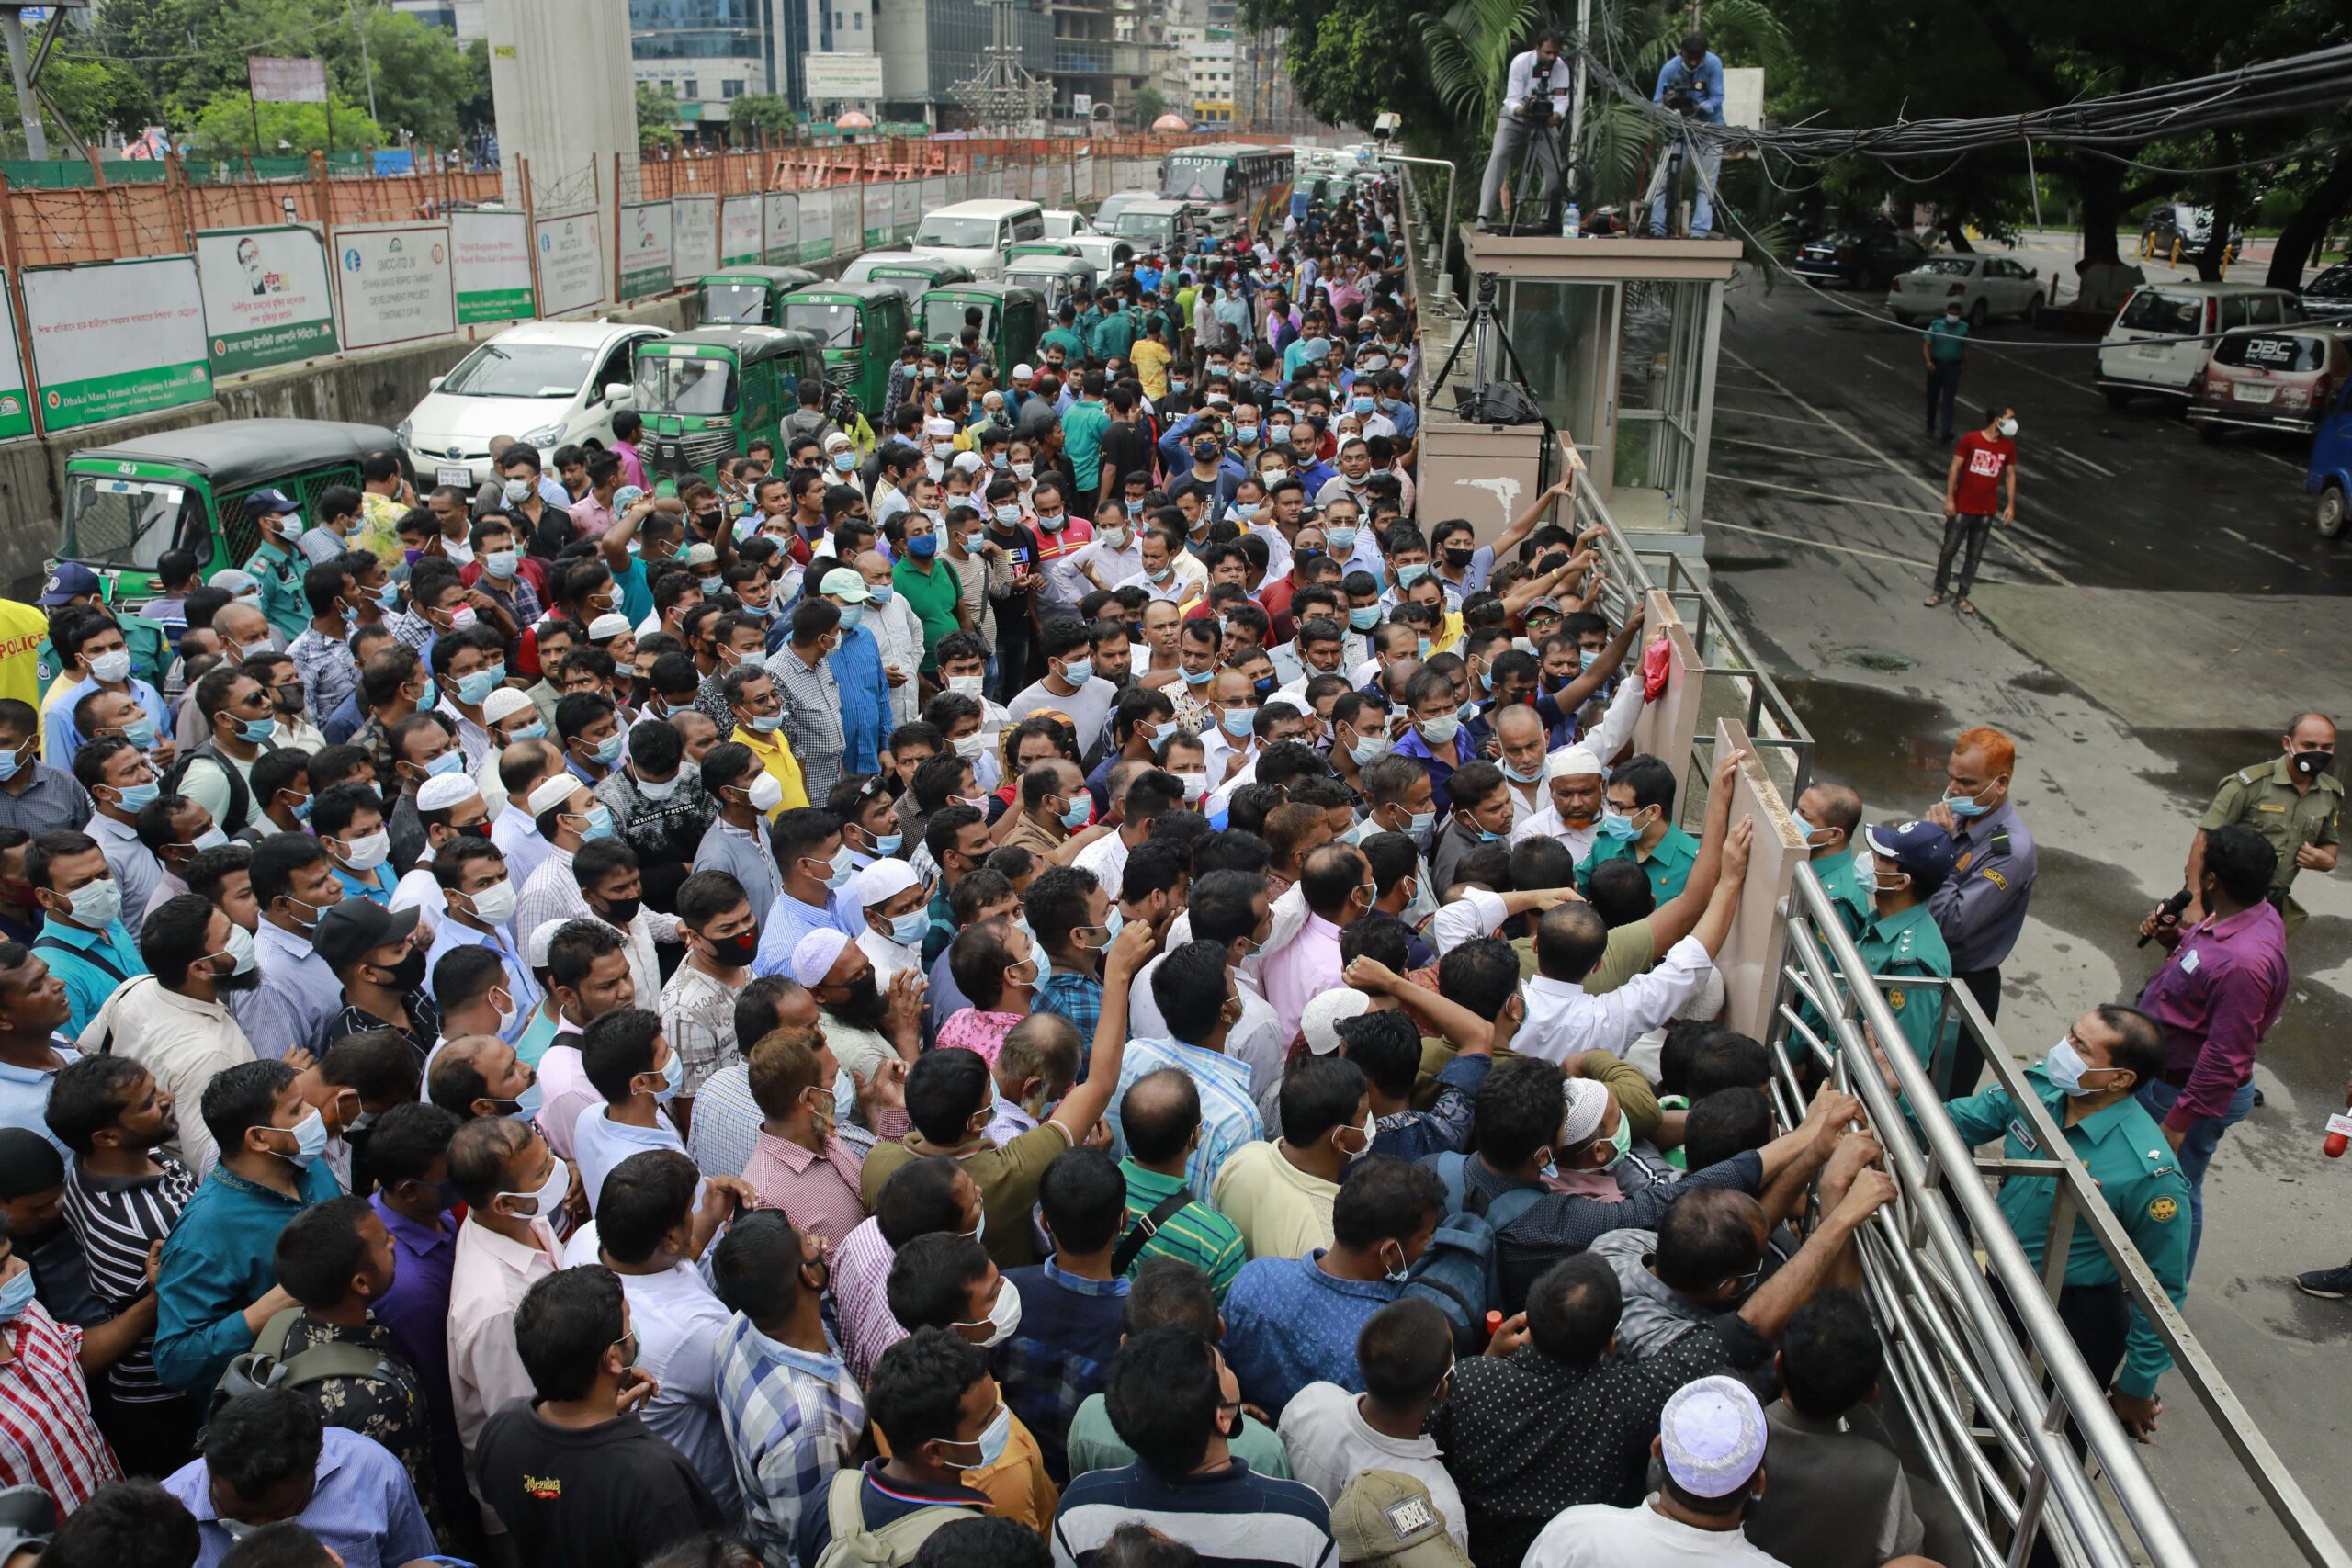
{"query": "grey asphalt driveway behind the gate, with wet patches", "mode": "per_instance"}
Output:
(1824, 518)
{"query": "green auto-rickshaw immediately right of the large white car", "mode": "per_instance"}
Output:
(711, 391)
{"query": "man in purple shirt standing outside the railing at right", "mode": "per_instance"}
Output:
(2217, 1000)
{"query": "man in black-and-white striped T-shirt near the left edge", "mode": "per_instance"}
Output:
(123, 1198)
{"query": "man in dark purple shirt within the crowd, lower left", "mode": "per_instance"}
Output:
(408, 1151)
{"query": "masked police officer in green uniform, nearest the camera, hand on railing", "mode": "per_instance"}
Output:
(2090, 1085)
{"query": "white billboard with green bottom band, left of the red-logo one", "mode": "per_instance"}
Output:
(116, 337)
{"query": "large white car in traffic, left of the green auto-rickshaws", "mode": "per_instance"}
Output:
(547, 384)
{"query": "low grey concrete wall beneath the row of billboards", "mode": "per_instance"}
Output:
(368, 387)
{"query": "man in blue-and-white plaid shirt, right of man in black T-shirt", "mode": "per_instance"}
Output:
(787, 1402)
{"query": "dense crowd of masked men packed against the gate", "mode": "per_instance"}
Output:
(1074, 986)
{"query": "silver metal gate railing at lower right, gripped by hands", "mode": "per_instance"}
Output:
(1977, 1351)
